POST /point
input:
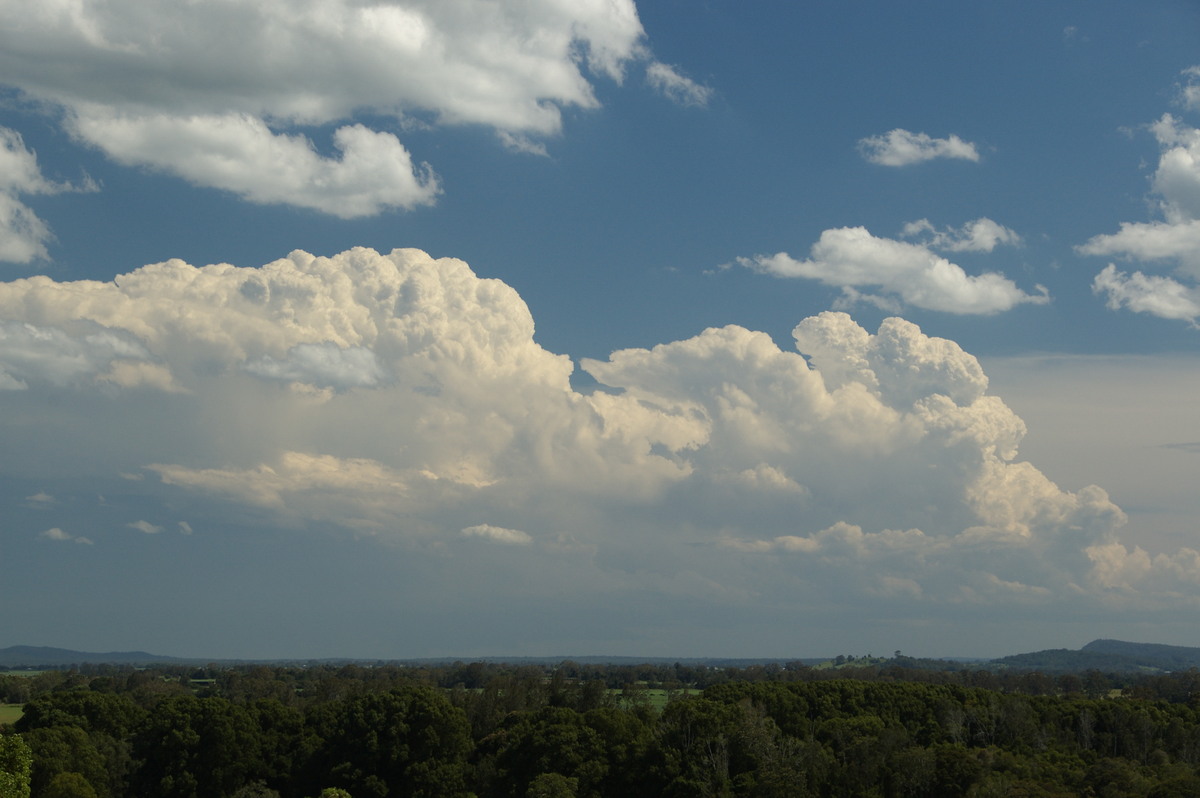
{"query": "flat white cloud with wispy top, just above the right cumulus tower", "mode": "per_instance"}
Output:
(910, 274)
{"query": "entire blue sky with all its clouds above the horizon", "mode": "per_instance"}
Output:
(461, 328)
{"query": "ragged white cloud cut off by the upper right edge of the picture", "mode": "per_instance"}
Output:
(1174, 239)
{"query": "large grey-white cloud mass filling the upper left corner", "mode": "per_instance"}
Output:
(220, 94)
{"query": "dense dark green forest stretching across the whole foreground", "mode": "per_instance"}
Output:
(491, 730)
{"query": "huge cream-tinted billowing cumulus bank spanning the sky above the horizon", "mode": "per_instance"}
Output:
(403, 398)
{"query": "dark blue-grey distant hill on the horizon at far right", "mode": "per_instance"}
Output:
(1108, 656)
